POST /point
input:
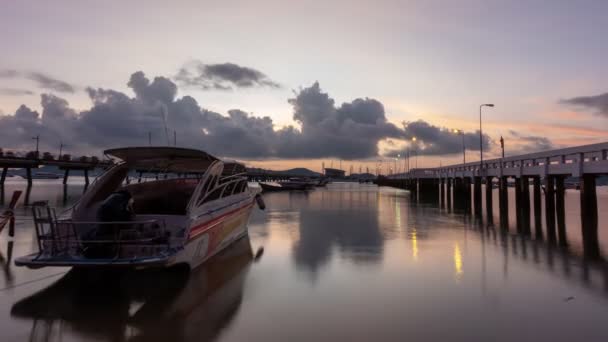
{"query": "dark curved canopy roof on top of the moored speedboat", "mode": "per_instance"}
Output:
(165, 159)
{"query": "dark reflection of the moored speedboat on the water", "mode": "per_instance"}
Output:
(165, 305)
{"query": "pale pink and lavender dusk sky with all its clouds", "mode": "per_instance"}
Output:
(281, 84)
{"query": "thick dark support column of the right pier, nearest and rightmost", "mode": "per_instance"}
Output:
(589, 216)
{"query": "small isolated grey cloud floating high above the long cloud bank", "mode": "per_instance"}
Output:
(224, 76)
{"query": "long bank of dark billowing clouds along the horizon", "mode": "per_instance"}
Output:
(350, 130)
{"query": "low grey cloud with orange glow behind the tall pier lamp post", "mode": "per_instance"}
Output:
(435, 140)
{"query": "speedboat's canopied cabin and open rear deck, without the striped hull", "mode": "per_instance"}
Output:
(149, 198)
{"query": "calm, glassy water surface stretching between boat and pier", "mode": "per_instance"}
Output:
(351, 262)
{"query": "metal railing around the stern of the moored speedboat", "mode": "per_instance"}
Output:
(99, 240)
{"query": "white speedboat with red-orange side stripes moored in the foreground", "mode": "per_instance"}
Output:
(195, 206)
